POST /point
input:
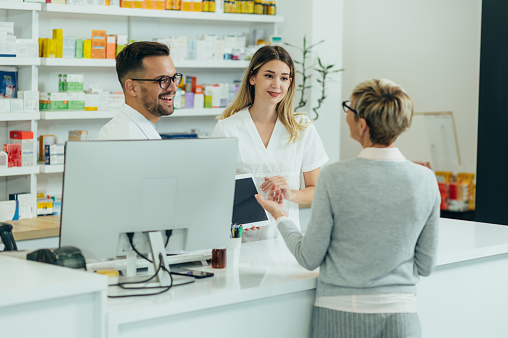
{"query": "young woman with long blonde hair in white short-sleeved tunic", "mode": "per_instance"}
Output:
(275, 144)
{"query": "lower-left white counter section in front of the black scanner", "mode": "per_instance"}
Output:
(43, 300)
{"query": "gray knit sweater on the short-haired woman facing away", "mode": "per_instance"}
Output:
(373, 228)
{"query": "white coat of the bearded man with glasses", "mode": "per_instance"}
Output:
(129, 124)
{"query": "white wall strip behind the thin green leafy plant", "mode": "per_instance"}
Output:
(318, 20)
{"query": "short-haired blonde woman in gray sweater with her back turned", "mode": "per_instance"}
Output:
(374, 225)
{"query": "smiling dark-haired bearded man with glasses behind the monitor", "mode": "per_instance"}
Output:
(149, 82)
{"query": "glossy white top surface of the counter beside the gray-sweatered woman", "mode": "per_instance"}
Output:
(267, 269)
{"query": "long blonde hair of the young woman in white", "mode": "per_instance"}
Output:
(245, 96)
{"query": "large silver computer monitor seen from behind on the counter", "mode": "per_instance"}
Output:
(111, 188)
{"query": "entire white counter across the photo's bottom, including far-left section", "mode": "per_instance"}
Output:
(268, 295)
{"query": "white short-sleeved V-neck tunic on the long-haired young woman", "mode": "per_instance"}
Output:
(288, 160)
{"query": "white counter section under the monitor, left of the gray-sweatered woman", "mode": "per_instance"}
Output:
(268, 295)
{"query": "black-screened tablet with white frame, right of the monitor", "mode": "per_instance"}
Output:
(246, 210)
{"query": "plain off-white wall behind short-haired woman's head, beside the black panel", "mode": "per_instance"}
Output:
(431, 48)
